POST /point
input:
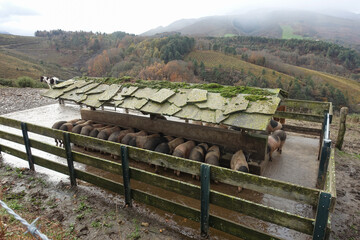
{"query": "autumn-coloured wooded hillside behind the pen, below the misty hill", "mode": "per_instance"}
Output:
(238, 60)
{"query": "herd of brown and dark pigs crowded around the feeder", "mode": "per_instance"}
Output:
(179, 147)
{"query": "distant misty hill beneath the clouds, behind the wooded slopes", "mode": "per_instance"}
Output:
(339, 27)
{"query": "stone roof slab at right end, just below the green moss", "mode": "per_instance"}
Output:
(264, 106)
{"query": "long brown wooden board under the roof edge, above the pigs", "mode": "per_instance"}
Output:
(231, 140)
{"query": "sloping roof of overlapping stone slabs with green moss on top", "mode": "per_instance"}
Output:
(244, 107)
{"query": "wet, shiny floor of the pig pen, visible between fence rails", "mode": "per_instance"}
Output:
(297, 164)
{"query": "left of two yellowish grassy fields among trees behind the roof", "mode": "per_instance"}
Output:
(213, 59)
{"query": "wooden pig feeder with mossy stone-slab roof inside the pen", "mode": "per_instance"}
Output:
(249, 111)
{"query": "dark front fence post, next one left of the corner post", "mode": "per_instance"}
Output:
(204, 198)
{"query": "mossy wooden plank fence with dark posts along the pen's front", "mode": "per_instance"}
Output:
(319, 227)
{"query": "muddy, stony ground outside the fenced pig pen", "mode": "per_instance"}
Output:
(93, 214)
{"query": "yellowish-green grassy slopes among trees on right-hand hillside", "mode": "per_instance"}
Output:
(350, 88)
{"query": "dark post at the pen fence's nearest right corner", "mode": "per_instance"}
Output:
(322, 215)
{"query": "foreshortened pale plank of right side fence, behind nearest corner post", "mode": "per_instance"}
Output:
(330, 182)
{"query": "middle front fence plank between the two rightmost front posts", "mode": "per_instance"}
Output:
(279, 217)
